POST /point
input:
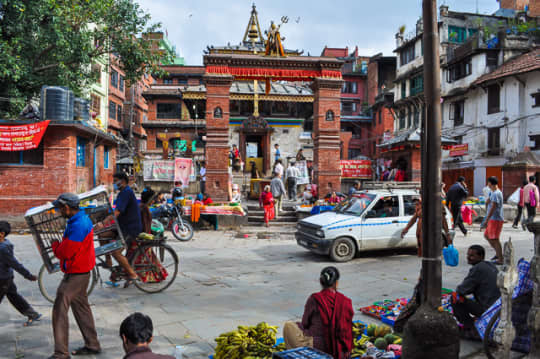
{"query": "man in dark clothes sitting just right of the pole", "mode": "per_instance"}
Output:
(481, 282)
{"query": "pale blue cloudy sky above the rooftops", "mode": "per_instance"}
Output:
(192, 25)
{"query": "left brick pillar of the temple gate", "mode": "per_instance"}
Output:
(217, 135)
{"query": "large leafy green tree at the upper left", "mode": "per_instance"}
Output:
(55, 42)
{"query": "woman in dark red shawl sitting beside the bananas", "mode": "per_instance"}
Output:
(327, 321)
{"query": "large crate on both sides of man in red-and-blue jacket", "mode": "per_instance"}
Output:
(47, 225)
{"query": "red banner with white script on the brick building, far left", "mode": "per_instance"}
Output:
(22, 137)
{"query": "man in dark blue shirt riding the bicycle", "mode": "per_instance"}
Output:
(129, 219)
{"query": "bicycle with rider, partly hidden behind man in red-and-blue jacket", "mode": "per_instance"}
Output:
(155, 263)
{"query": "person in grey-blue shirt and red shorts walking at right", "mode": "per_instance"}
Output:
(494, 219)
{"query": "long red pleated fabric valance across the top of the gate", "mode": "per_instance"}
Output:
(255, 73)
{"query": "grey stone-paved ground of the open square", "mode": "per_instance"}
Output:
(227, 281)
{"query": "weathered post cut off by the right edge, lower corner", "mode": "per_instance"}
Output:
(533, 318)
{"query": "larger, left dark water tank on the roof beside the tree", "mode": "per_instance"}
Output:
(57, 103)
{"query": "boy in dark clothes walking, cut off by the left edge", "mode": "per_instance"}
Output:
(8, 263)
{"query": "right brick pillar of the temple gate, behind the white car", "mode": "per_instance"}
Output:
(326, 126)
